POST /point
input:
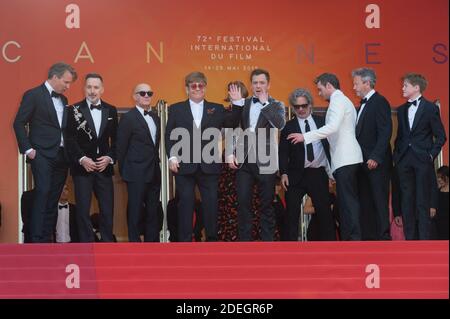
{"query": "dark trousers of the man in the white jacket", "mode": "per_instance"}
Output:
(349, 209)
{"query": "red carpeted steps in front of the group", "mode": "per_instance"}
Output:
(226, 270)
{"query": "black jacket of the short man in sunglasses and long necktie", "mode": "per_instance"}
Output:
(292, 156)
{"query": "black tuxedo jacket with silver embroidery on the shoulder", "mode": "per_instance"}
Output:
(79, 143)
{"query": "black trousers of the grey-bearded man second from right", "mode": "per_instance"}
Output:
(373, 188)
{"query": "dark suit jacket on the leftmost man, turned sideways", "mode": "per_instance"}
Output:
(37, 110)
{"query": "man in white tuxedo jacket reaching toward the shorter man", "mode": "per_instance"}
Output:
(345, 151)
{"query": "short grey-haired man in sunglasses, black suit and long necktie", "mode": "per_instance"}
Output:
(303, 168)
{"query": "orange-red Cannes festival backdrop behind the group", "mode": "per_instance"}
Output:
(160, 41)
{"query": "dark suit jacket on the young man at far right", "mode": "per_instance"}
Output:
(427, 135)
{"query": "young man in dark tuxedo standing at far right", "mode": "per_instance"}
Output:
(420, 137)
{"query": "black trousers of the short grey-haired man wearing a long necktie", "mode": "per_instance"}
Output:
(314, 182)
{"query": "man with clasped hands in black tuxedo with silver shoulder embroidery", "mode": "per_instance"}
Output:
(91, 145)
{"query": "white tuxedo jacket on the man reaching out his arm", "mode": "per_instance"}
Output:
(339, 128)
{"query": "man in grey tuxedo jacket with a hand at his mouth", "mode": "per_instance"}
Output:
(256, 154)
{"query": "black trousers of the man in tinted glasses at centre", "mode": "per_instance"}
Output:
(185, 188)
